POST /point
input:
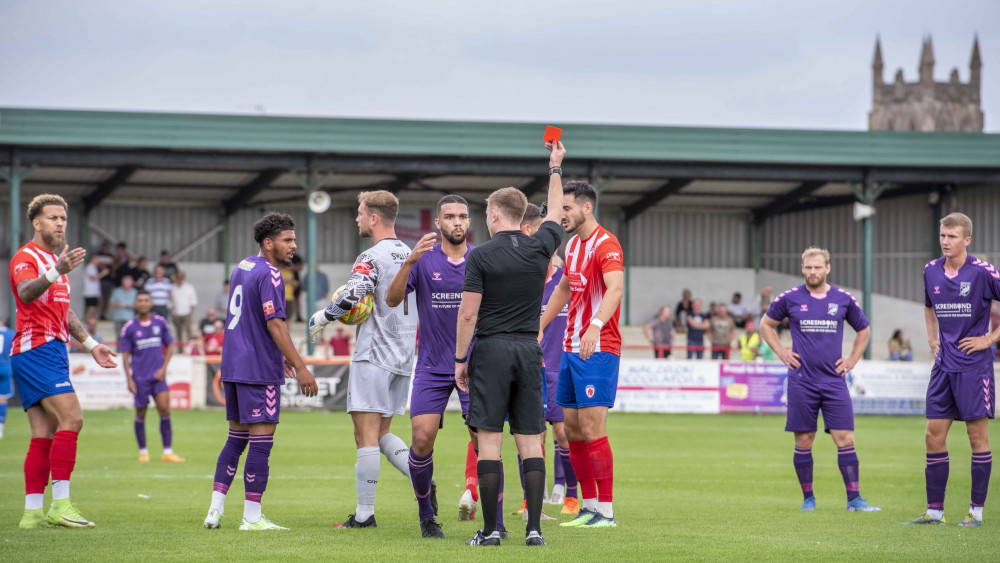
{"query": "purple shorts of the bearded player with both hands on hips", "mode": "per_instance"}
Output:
(806, 399)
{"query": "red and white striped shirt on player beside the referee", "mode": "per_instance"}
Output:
(586, 263)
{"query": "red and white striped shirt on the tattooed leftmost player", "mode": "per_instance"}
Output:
(46, 318)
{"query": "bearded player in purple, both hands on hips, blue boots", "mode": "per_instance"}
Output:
(816, 312)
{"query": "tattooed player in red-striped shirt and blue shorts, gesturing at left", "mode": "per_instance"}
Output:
(40, 365)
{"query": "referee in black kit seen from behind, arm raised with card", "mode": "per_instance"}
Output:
(501, 303)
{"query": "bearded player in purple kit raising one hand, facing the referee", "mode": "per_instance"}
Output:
(436, 273)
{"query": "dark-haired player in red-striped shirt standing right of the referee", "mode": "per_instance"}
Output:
(593, 283)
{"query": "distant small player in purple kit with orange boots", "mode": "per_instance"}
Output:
(143, 342)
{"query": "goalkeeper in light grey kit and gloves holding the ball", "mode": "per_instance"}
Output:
(383, 356)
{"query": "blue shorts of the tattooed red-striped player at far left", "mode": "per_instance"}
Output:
(41, 372)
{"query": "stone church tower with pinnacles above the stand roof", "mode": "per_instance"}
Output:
(926, 105)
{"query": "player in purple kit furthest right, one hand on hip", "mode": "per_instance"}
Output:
(958, 292)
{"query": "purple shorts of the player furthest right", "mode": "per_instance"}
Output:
(968, 395)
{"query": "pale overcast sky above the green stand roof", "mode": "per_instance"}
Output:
(798, 64)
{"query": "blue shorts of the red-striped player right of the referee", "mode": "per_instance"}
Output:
(590, 383)
